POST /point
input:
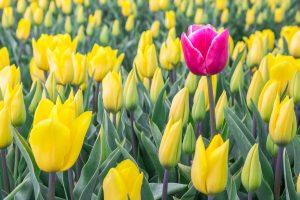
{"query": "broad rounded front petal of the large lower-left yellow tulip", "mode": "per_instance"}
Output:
(50, 143)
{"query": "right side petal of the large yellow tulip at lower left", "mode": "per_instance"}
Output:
(79, 129)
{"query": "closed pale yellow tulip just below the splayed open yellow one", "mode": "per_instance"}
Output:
(112, 92)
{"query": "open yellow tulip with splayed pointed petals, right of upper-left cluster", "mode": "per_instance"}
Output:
(103, 60)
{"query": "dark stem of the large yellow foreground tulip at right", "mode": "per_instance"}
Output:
(278, 172)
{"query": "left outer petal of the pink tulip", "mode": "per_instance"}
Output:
(193, 57)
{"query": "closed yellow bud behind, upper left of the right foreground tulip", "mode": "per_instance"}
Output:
(266, 99)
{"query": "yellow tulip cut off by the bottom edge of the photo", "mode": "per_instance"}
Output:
(124, 181)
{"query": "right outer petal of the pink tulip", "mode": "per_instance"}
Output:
(217, 54)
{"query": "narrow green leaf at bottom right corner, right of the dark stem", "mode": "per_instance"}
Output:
(288, 178)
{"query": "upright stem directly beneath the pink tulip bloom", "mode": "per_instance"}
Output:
(211, 106)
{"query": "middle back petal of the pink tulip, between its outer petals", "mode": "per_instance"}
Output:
(202, 38)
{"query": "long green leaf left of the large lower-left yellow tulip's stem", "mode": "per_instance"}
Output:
(33, 168)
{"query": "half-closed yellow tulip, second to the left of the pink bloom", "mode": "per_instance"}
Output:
(146, 61)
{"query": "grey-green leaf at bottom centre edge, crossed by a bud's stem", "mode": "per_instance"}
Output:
(173, 188)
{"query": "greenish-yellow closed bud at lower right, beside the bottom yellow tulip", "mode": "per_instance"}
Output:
(251, 172)
